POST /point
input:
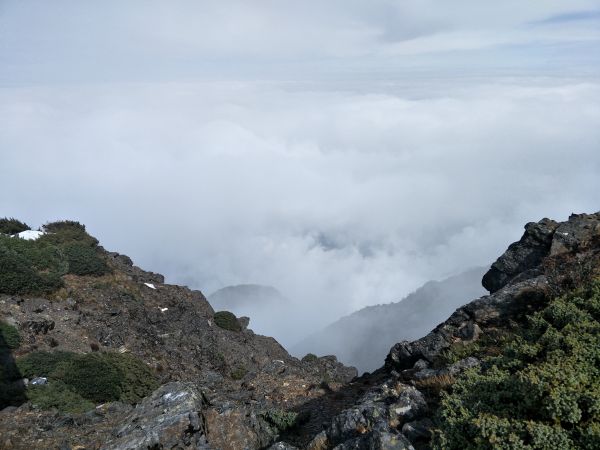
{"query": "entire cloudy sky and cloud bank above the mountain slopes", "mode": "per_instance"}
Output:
(344, 152)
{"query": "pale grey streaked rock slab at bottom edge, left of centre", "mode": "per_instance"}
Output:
(170, 418)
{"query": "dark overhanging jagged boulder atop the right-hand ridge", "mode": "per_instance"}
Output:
(520, 256)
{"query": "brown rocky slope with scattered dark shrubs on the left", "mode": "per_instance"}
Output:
(80, 326)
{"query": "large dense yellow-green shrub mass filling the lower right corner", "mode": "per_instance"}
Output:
(543, 391)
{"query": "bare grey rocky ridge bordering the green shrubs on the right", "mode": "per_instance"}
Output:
(395, 412)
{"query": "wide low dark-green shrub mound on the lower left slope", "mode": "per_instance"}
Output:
(96, 377)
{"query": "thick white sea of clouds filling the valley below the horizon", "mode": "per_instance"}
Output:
(340, 199)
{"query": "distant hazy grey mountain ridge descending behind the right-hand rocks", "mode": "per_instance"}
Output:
(364, 338)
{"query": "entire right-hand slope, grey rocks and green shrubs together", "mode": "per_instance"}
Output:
(519, 368)
